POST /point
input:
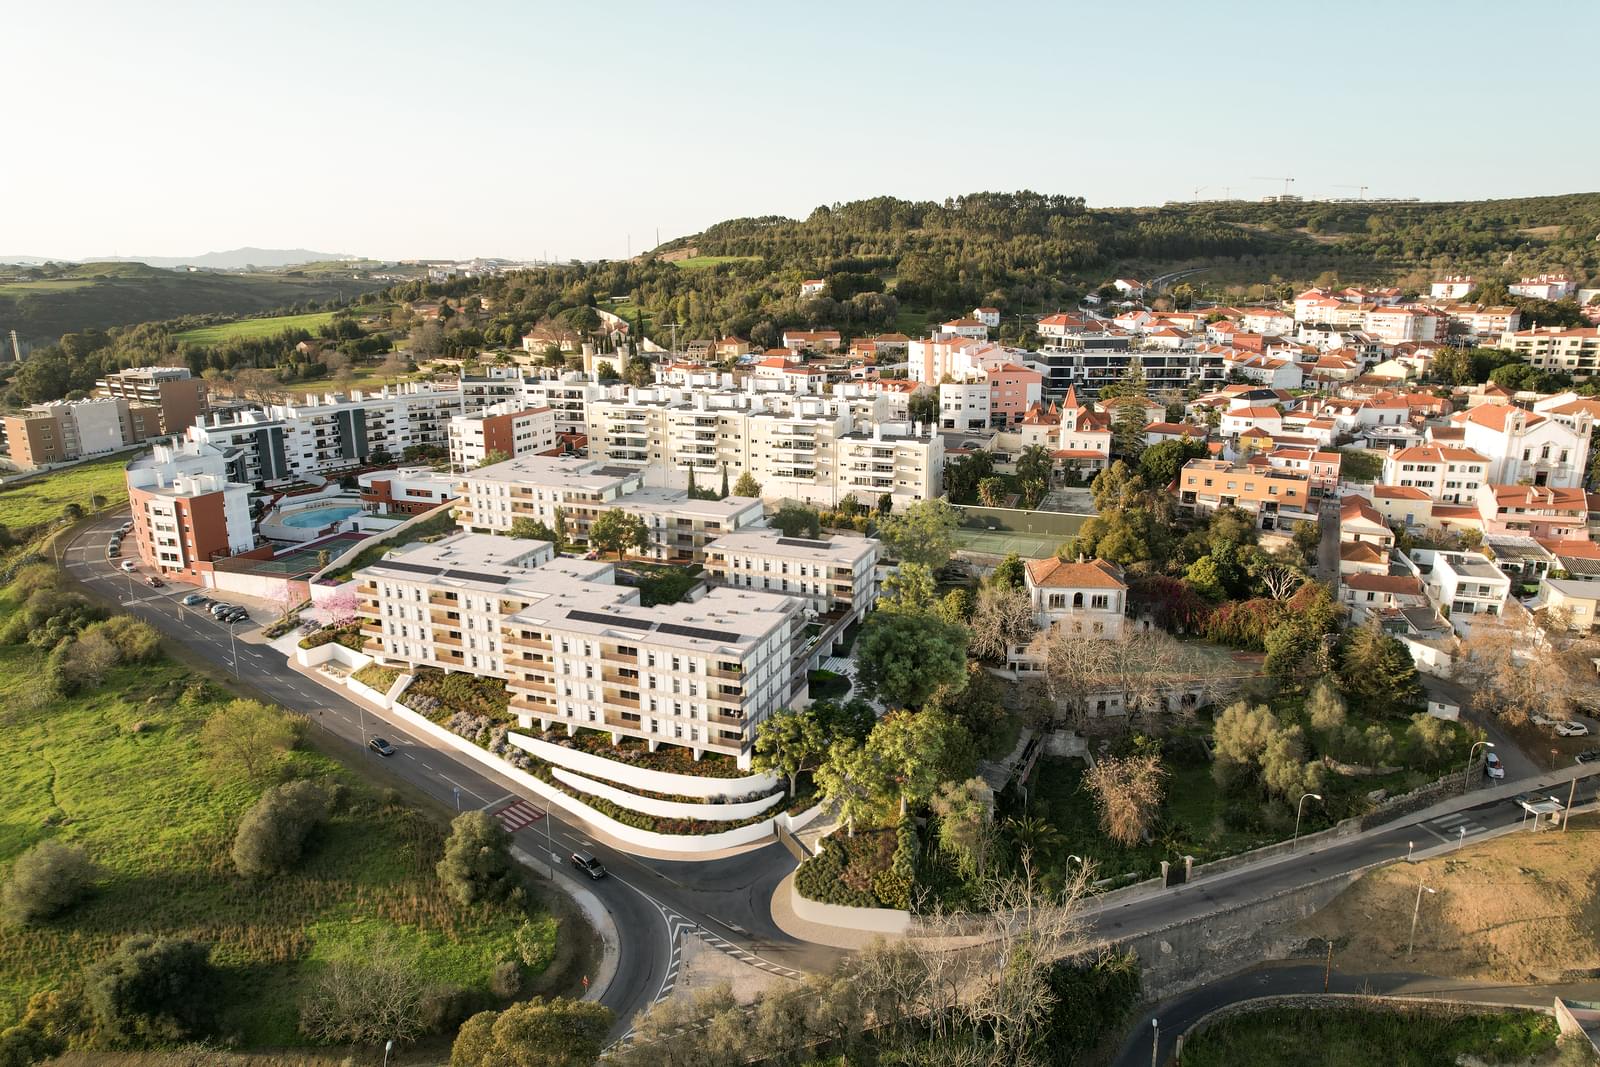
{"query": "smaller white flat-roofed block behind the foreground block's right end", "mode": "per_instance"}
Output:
(836, 577)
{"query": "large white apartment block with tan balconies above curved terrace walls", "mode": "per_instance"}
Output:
(578, 650)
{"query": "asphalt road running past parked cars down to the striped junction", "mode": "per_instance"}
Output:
(654, 903)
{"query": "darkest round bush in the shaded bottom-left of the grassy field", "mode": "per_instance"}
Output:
(153, 989)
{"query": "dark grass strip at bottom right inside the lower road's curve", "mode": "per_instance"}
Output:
(1359, 1037)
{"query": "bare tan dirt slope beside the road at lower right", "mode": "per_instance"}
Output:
(1522, 908)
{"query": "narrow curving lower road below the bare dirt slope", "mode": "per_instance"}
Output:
(1300, 977)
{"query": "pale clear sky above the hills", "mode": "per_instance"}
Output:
(580, 130)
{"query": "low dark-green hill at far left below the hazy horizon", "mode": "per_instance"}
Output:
(102, 295)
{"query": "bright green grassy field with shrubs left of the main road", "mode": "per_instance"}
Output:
(119, 772)
